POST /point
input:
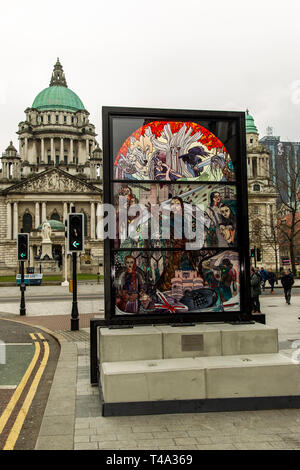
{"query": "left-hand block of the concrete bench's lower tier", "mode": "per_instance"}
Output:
(169, 379)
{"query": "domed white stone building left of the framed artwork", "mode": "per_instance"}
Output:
(58, 166)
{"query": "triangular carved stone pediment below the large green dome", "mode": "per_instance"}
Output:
(53, 181)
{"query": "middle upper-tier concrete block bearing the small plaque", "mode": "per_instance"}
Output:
(191, 341)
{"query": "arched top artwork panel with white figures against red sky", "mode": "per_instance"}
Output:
(173, 151)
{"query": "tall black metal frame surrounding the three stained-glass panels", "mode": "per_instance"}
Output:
(210, 120)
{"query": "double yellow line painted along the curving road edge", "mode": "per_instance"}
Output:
(19, 421)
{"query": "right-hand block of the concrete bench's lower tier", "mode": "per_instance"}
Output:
(251, 376)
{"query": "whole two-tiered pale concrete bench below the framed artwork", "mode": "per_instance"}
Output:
(205, 362)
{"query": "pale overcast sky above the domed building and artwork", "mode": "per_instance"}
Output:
(184, 54)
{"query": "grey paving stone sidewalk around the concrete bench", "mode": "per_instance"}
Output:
(80, 426)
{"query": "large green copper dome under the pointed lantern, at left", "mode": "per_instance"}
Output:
(58, 97)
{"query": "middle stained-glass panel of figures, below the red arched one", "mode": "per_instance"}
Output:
(146, 215)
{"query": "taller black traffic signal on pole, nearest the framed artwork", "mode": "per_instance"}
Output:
(75, 245)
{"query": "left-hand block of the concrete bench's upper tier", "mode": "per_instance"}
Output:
(133, 344)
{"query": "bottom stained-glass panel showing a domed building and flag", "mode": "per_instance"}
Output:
(160, 282)
